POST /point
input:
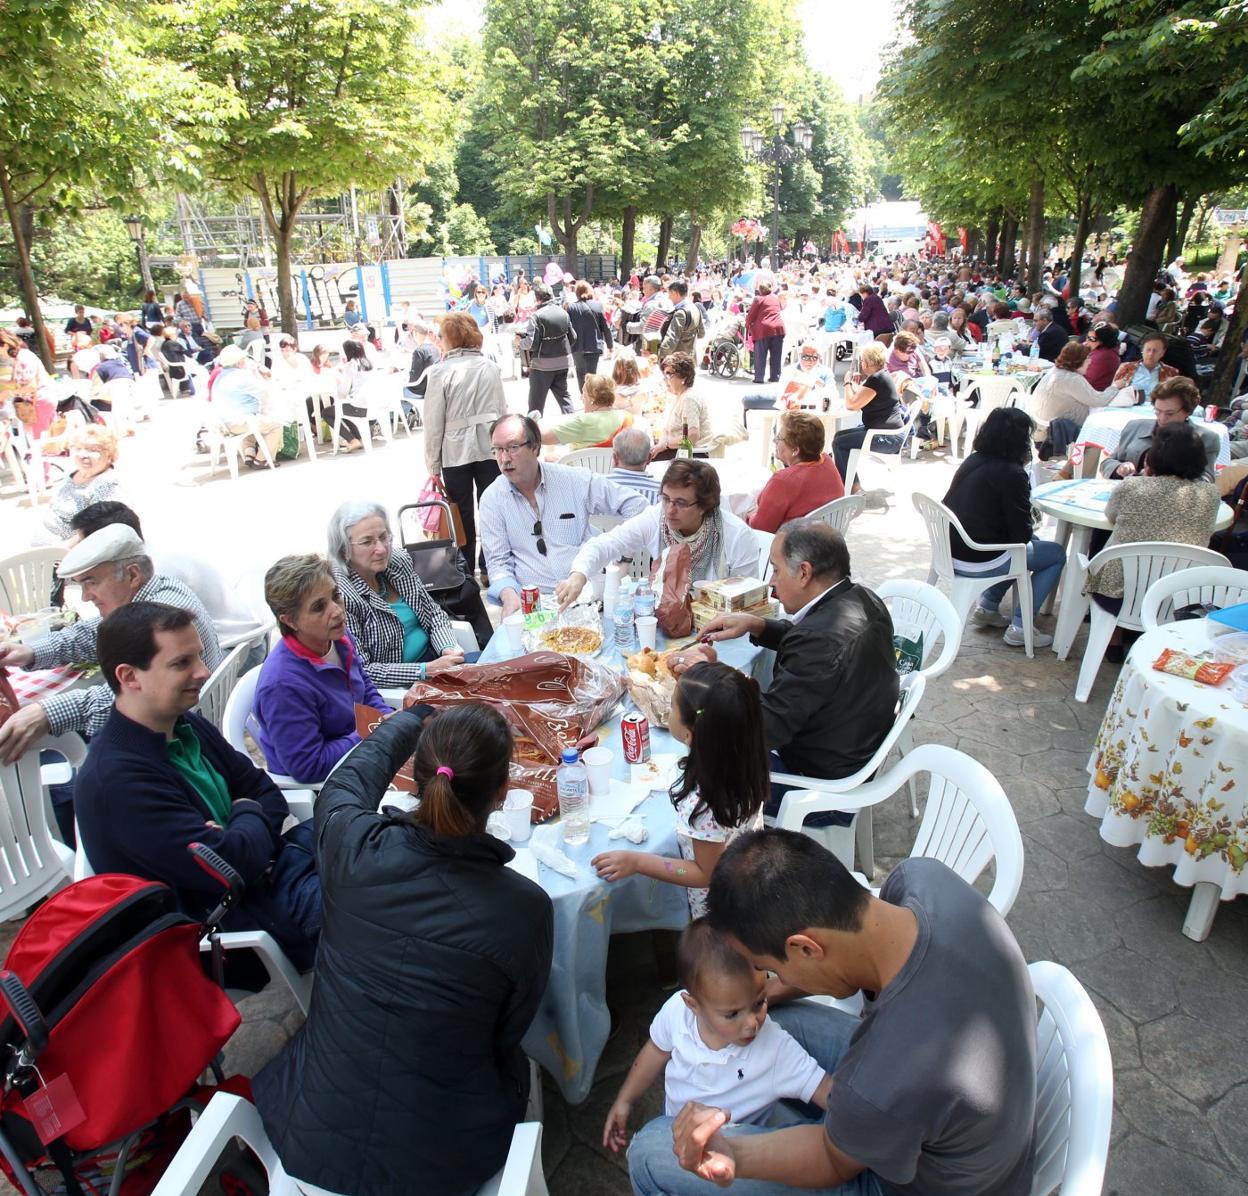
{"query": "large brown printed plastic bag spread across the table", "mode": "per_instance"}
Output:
(551, 702)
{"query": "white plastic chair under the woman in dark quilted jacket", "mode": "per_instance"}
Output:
(228, 1118)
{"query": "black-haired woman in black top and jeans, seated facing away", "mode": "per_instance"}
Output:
(992, 498)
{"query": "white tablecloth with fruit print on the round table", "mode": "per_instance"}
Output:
(1170, 767)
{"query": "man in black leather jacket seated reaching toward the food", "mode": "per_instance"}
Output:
(834, 691)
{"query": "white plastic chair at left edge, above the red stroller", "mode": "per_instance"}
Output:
(33, 865)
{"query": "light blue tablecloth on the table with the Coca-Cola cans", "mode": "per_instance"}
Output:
(571, 1028)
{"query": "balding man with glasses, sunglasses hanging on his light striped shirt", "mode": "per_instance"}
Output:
(536, 516)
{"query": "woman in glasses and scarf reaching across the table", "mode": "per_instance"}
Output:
(688, 512)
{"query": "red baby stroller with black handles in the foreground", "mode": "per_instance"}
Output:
(110, 1022)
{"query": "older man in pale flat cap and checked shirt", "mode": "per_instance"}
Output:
(113, 567)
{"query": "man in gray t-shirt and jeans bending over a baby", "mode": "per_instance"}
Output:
(933, 1089)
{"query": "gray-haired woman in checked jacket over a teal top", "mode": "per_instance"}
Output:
(402, 635)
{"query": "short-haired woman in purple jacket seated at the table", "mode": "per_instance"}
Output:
(313, 681)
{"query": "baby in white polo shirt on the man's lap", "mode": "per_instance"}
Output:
(713, 1043)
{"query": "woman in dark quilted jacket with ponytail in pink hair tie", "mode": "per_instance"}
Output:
(409, 1076)
